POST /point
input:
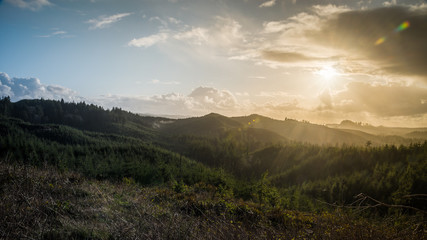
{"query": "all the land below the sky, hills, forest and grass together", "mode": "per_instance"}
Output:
(83, 172)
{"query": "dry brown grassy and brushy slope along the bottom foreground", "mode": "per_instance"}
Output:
(43, 203)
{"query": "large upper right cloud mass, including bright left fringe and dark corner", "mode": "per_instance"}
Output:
(339, 35)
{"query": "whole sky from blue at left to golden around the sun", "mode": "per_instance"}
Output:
(322, 61)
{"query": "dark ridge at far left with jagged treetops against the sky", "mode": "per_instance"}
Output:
(78, 115)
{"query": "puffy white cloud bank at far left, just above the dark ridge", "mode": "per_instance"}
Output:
(29, 88)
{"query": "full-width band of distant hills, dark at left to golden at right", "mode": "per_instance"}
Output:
(253, 129)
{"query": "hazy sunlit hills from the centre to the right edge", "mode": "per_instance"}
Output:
(270, 130)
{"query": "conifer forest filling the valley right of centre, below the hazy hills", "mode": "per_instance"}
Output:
(307, 174)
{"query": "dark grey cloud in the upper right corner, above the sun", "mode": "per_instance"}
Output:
(403, 52)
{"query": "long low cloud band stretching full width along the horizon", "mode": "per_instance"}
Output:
(359, 101)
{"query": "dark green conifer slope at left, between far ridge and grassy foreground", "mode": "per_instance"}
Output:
(98, 155)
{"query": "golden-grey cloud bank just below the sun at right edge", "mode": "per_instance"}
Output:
(384, 101)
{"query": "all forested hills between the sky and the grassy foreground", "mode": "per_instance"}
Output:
(255, 159)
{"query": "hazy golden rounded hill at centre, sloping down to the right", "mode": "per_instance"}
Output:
(266, 129)
